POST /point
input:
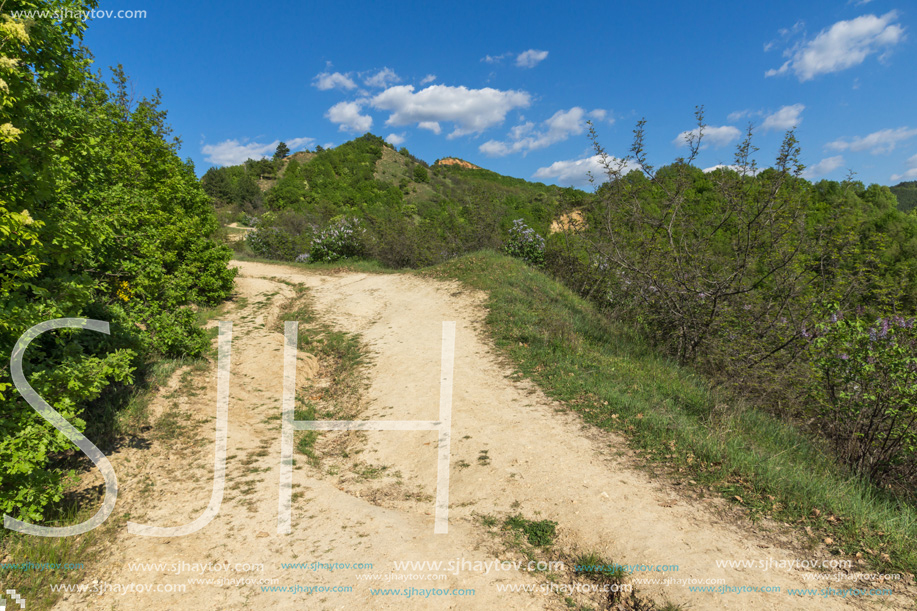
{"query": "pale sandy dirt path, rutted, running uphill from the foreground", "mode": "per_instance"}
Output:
(540, 461)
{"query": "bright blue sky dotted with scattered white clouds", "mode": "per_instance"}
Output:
(511, 86)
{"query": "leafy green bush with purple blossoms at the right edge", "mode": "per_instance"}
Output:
(868, 408)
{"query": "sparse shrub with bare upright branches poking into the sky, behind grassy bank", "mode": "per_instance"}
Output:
(724, 268)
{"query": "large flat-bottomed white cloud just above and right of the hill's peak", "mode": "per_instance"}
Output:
(471, 110)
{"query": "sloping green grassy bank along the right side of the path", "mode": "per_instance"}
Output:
(674, 420)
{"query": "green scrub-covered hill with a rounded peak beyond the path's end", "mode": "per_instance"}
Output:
(416, 213)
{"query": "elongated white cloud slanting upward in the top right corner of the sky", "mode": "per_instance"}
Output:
(844, 45)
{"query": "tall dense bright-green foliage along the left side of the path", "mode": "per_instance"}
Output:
(99, 218)
